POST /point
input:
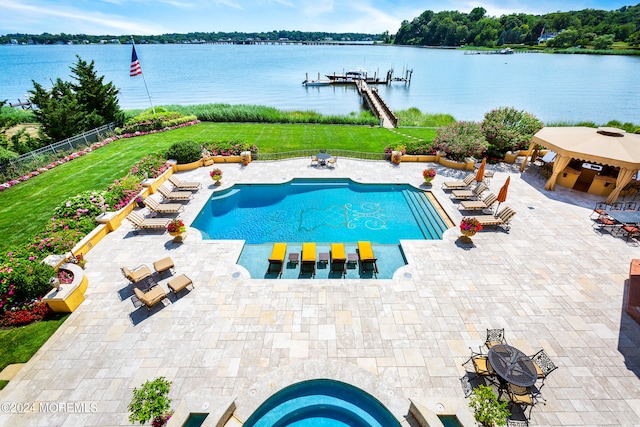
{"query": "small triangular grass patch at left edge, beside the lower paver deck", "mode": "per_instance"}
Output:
(19, 344)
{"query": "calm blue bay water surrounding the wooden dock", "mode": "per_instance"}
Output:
(553, 87)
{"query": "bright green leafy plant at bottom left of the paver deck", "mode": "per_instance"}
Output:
(151, 402)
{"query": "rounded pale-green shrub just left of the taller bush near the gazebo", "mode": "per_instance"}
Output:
(460, 140)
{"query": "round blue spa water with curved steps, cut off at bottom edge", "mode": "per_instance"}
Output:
(321, 403)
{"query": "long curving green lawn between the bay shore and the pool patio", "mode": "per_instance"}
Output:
(26, 208)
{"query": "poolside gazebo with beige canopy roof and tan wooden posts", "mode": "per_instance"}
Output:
(607, 146)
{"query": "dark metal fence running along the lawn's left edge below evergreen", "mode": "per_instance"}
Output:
(35, 159)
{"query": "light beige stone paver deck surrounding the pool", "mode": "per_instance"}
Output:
(552, 282)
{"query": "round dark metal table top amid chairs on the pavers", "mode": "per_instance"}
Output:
(512, 365)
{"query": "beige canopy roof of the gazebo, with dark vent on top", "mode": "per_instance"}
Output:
(608, 146)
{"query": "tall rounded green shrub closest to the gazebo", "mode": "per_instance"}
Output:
(506, 128)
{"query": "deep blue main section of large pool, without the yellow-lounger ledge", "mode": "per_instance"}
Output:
(336, 210)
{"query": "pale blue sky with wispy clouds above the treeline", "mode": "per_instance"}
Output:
(118, 17)
